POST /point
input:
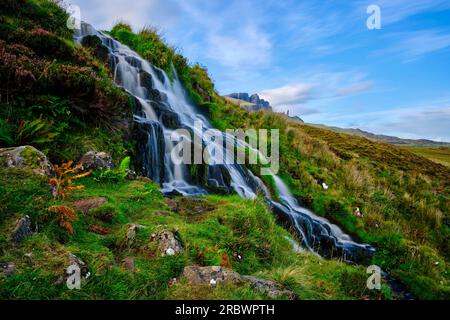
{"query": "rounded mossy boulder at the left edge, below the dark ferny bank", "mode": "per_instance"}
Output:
(26, 158)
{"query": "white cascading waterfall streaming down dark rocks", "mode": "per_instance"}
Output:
(162, 107)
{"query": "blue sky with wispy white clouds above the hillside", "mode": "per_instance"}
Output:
(316, 58)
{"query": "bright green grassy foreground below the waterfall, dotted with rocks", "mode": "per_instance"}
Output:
(230, 225)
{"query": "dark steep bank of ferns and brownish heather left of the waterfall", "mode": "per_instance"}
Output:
(55, 95)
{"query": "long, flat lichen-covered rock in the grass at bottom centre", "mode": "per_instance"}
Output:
(196, 275)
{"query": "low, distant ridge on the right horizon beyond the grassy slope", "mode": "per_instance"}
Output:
(385, 138)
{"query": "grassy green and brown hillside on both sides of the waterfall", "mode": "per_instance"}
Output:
(60, 98)
